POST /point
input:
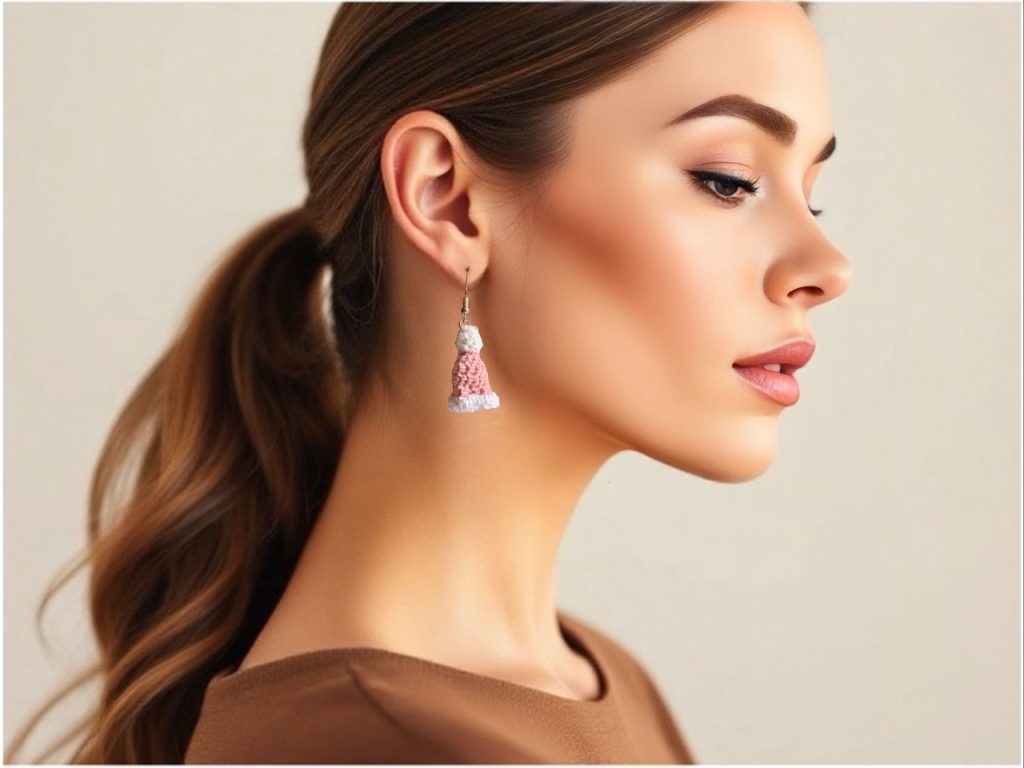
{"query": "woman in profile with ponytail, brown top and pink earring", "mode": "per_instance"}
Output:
(339, 547)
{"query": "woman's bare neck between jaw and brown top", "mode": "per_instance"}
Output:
(441, 532)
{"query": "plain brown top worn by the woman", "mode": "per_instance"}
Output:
(364, 705)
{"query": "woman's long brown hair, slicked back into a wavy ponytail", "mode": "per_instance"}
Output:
(218, 465)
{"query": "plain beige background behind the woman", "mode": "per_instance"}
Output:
(860, 603)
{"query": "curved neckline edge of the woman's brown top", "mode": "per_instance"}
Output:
(576, 635)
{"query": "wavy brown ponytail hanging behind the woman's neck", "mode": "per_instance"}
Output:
(233, 439)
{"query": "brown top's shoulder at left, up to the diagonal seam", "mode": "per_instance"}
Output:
(313, 708)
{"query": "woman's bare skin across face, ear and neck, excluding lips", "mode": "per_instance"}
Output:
(611, 318)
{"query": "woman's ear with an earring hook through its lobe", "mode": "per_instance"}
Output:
(436, 193)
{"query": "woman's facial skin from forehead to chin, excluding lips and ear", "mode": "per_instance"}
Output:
(642, 280)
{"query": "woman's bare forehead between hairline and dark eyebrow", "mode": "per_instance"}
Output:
(766, 51)
